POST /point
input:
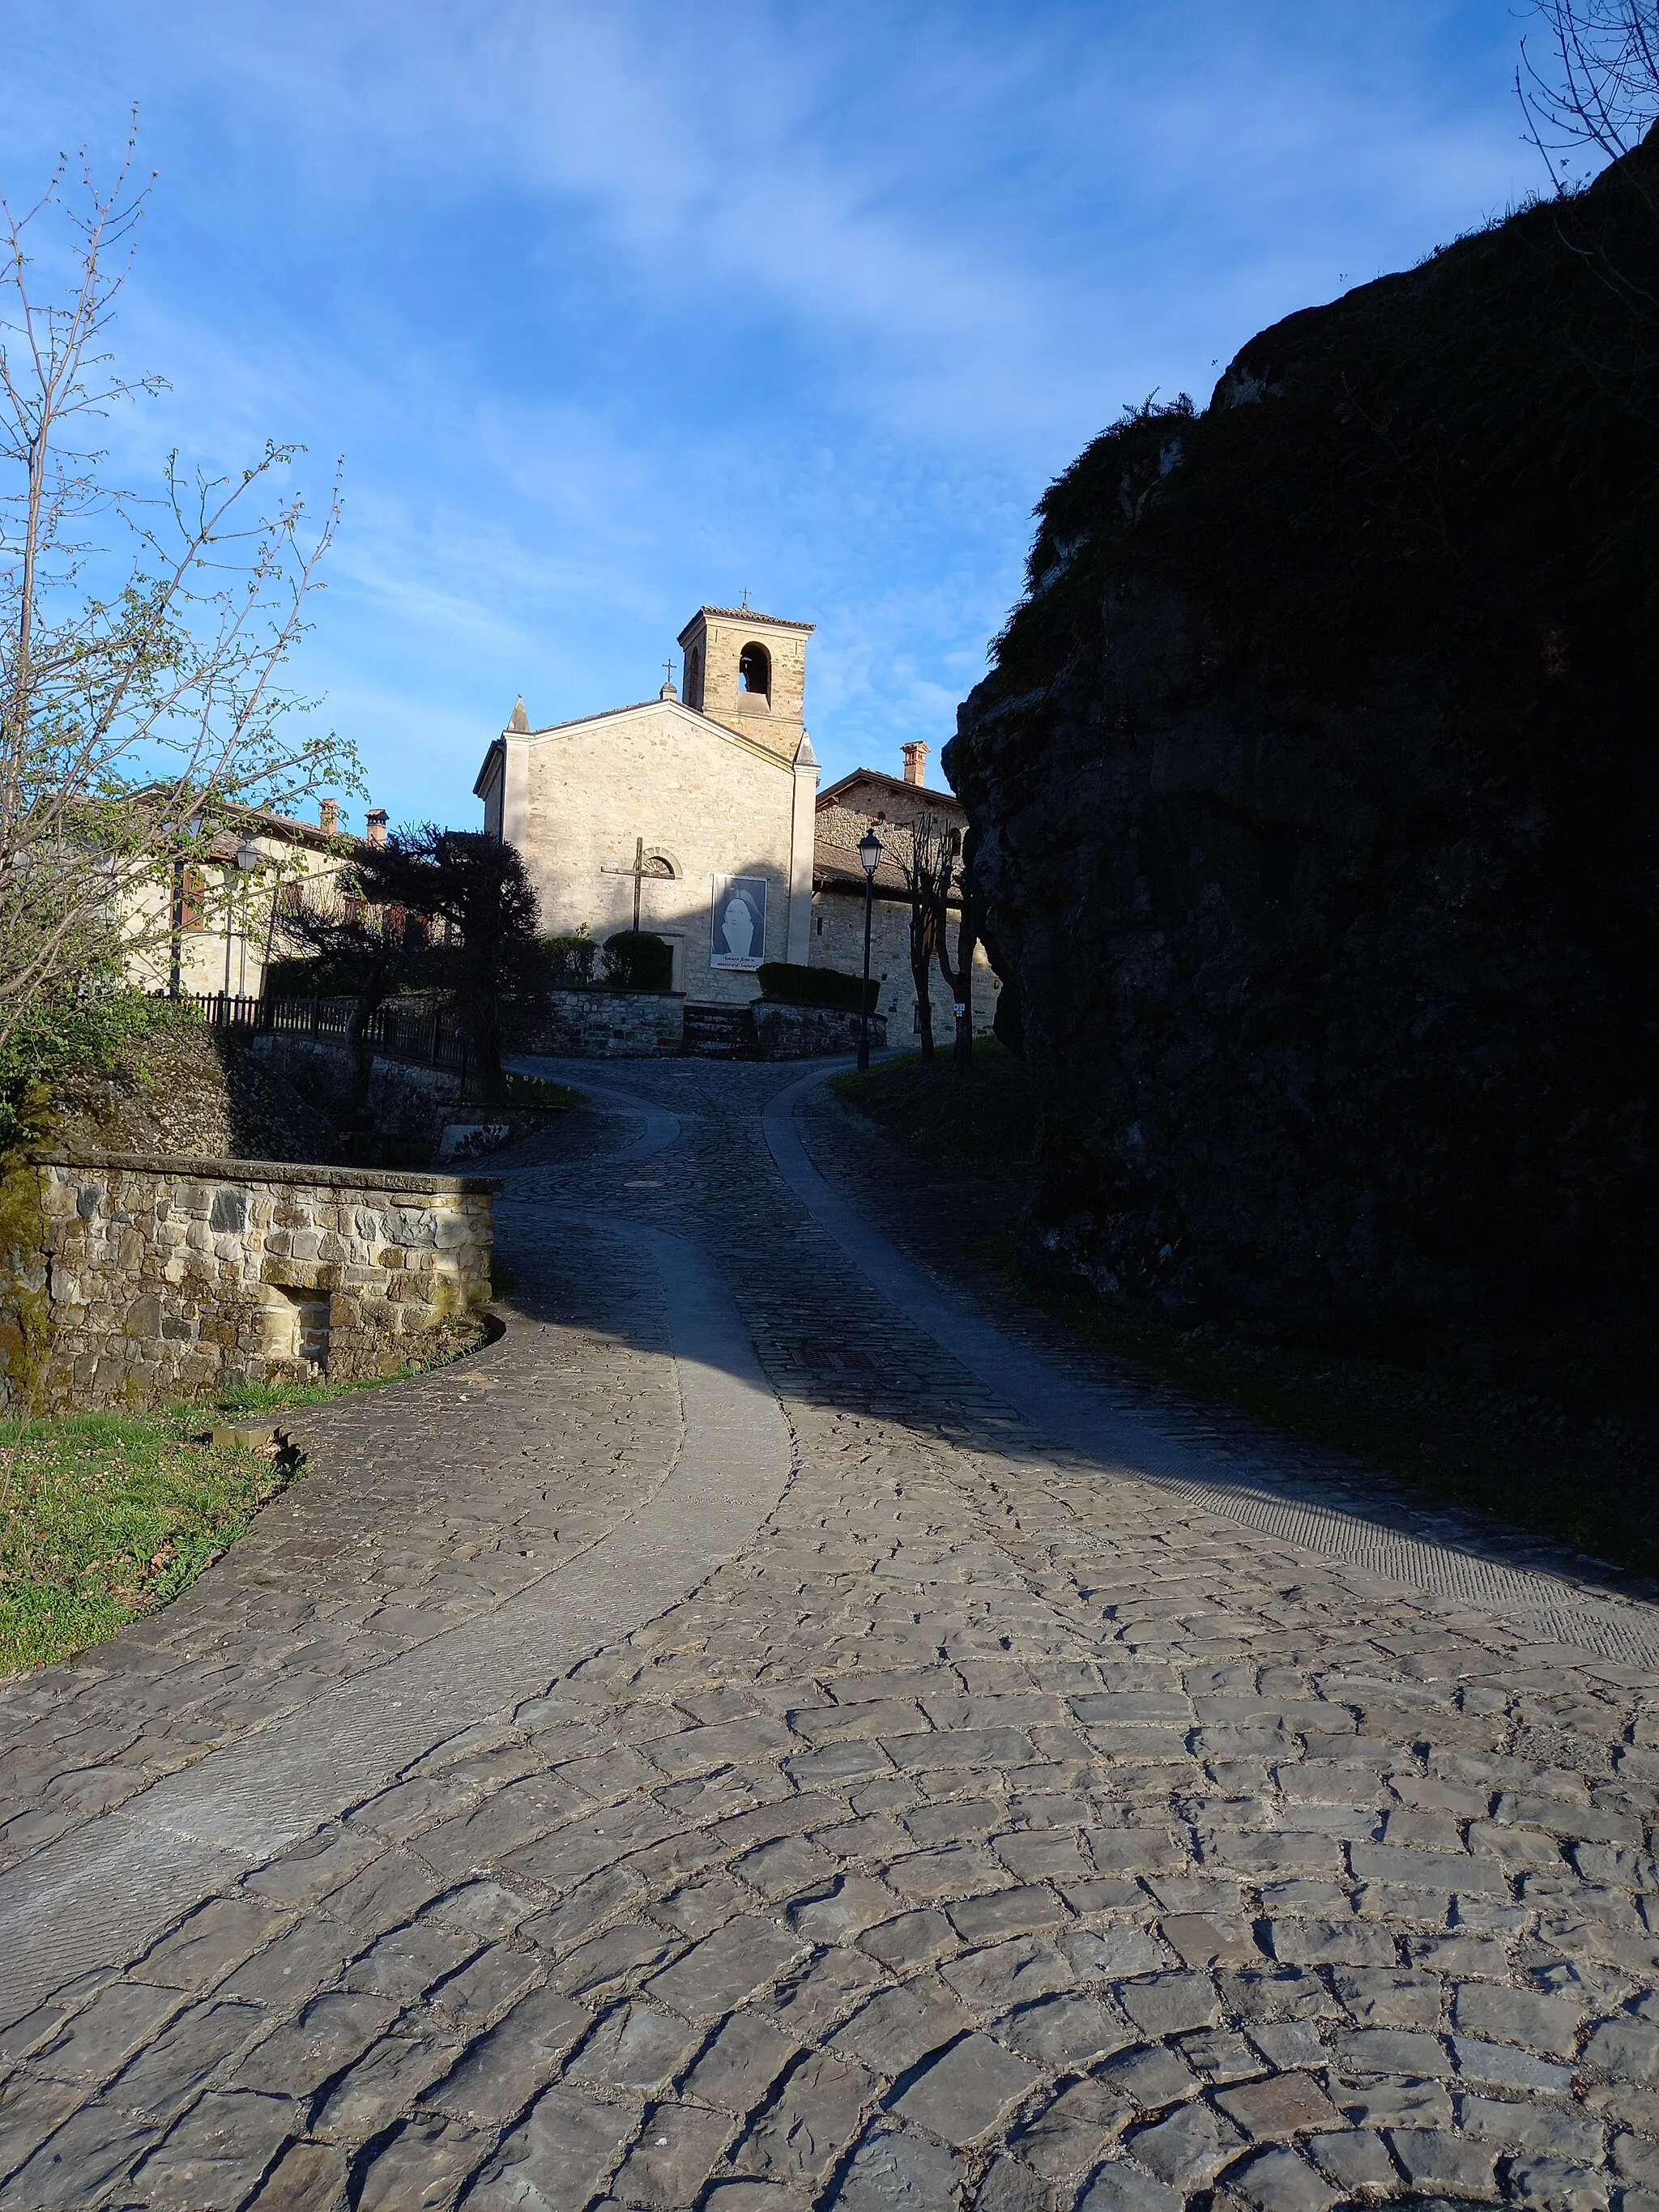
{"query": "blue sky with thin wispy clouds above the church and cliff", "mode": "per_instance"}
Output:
(614, 306)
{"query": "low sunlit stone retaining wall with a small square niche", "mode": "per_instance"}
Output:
(156, 1277)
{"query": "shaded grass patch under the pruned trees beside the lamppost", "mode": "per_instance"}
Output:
(985, 1125)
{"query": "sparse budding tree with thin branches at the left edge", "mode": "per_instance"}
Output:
(140, 638)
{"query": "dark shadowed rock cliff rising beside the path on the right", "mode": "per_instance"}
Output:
(1315, 797)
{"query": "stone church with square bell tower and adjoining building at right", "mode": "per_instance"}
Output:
(700, 820)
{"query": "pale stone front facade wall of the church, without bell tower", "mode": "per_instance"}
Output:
(702, 802)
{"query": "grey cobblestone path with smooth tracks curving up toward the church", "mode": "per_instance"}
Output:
(720, 1749)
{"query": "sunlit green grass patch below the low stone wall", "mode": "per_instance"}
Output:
(109, 1516)
